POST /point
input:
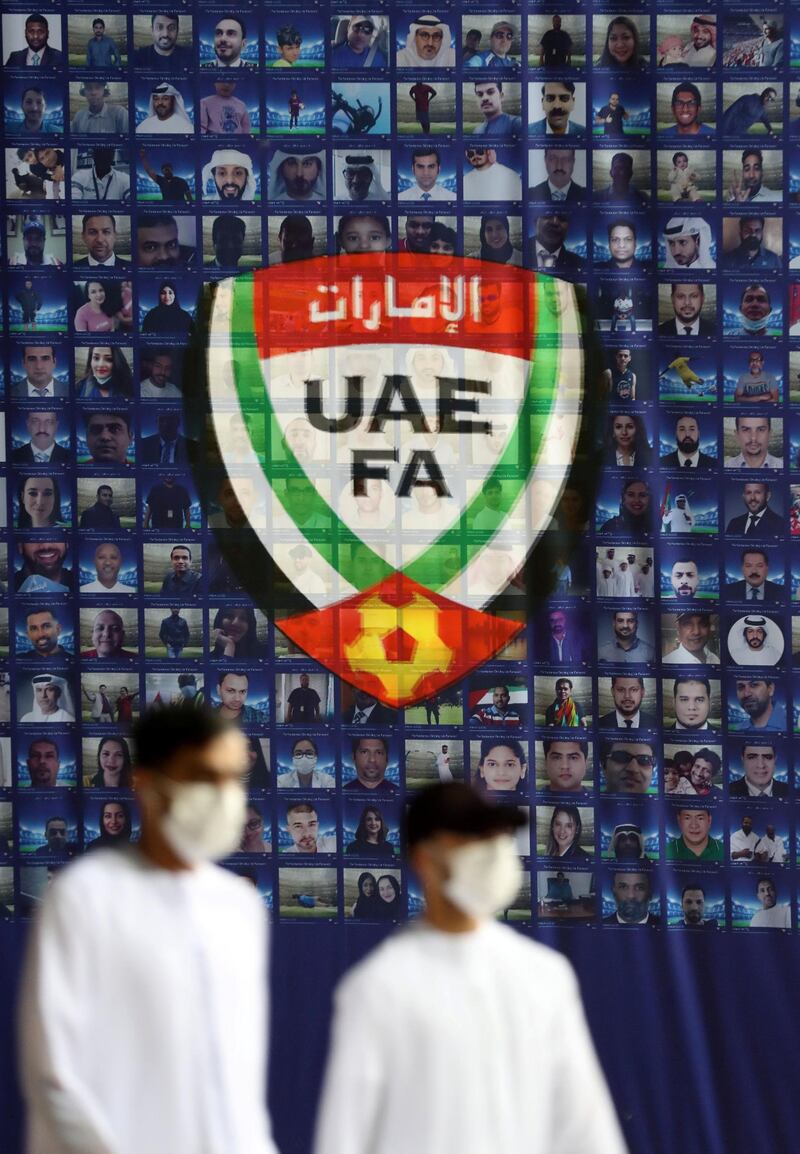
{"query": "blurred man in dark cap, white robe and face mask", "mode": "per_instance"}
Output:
(463, 852)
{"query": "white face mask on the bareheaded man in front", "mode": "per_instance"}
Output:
(204, 822)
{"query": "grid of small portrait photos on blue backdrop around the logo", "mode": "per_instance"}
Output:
(647, 154)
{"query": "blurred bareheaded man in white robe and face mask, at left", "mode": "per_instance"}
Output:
(144, 1007)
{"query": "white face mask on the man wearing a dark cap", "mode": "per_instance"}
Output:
(485, 876)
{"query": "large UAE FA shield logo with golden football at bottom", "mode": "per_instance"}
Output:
(410, 426)
